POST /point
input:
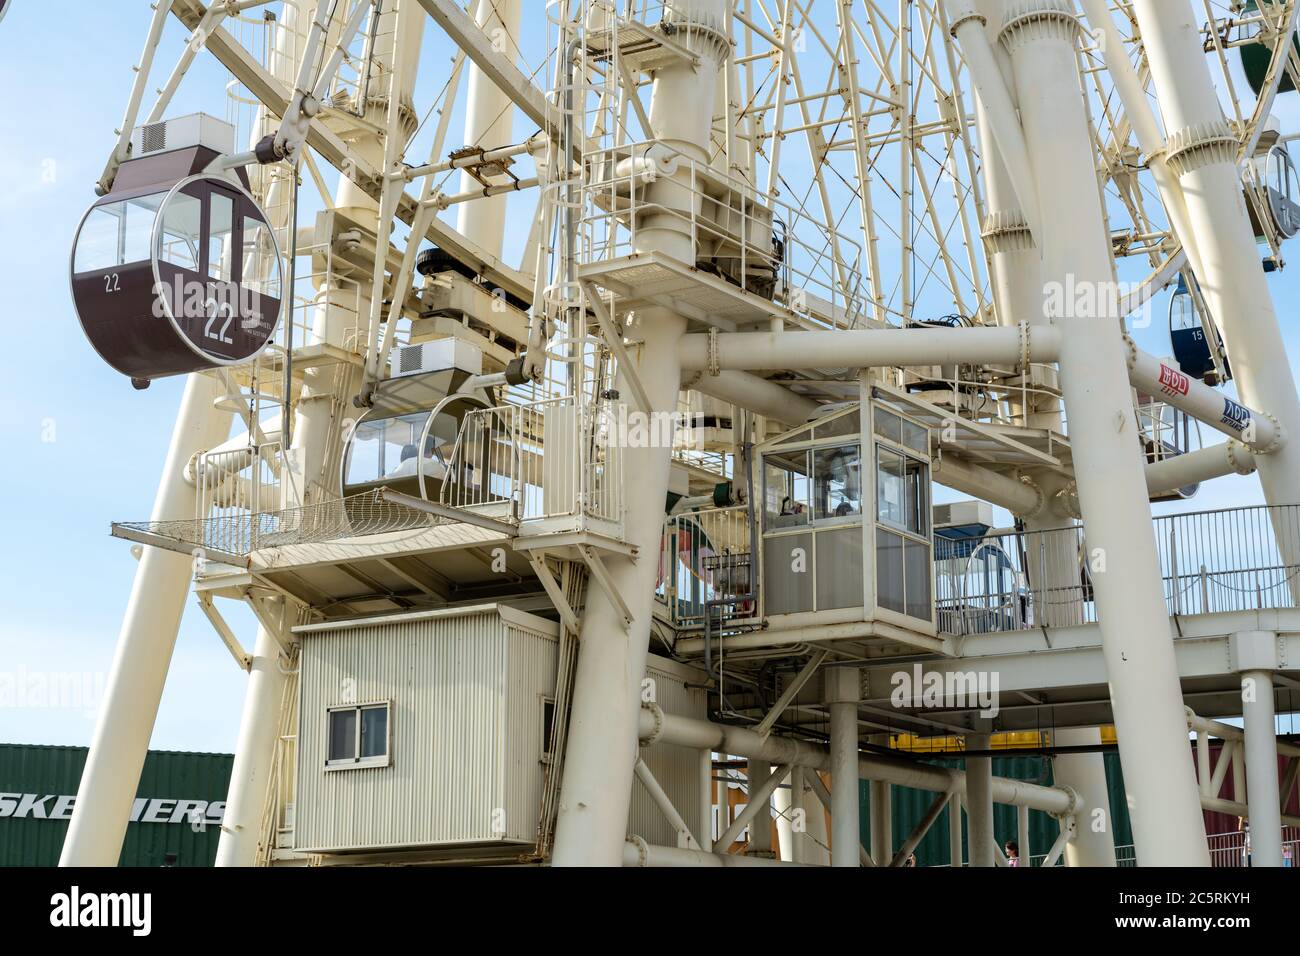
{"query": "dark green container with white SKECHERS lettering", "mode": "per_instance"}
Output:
(176, 816)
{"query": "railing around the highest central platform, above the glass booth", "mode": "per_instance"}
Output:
(760, 245)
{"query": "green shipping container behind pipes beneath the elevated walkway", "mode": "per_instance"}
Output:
(909, 810)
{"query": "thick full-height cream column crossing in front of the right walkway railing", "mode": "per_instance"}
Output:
(1041, 37)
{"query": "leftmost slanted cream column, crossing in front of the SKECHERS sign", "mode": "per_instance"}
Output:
(145, 648)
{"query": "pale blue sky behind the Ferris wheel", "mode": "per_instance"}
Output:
(83, 447)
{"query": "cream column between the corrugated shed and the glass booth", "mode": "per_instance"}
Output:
(603, 743)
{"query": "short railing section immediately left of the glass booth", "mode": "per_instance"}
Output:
(705, 559)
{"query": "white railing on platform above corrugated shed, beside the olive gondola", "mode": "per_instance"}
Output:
(541, 461)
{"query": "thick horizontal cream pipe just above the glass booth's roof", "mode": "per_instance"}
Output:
(870, 348)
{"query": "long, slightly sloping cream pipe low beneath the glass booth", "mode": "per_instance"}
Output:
(742, 742)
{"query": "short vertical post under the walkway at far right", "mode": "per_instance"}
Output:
(1262, 768)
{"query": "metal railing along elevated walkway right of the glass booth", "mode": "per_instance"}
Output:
(1230, 560)
